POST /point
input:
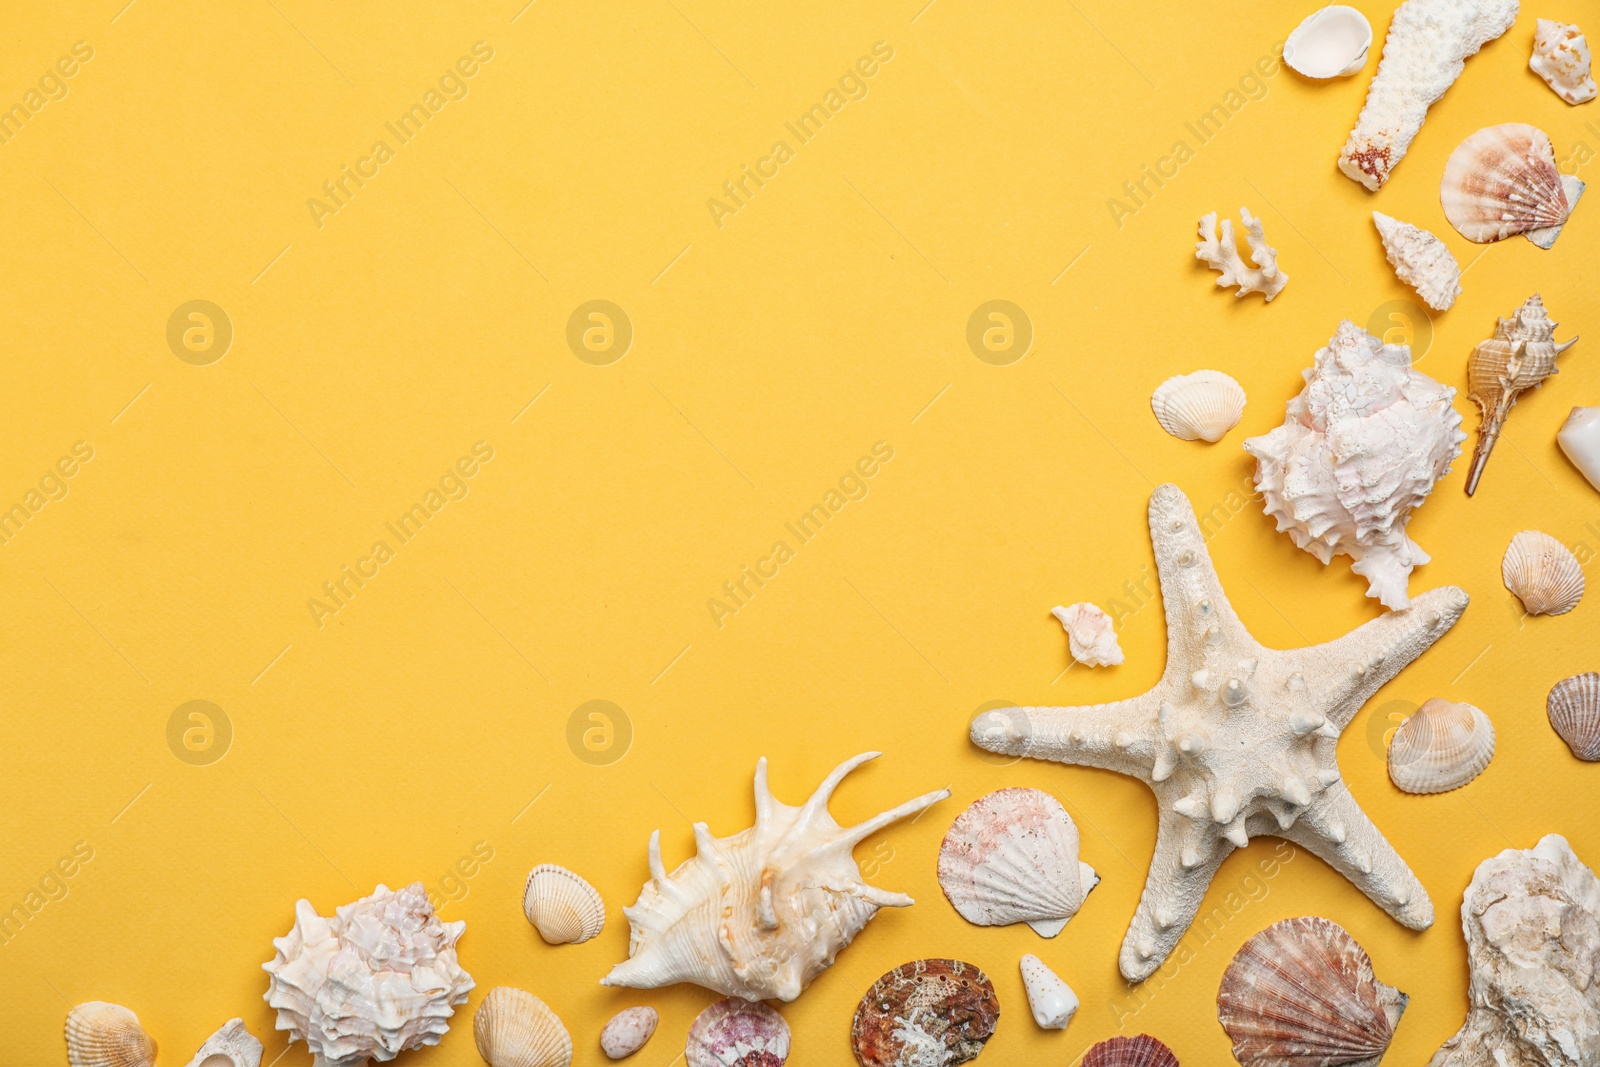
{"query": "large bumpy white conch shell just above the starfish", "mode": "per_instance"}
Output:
(1361, 450)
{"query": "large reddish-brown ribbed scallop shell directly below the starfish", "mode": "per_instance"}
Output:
(1302, 994)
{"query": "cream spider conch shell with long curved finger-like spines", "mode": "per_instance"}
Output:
(766, 911)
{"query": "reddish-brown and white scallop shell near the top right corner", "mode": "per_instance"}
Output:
(1502, 182)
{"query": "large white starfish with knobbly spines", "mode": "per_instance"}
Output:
(1236, 741)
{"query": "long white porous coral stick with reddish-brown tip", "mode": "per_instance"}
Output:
(1425, 54)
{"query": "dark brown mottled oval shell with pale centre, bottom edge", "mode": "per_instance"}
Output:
(926, 1012)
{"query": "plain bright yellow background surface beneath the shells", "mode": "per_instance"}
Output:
(828, 314)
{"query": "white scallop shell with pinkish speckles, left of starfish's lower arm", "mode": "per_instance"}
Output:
(1014, 858)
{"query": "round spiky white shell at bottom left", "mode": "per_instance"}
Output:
(375, 980)
